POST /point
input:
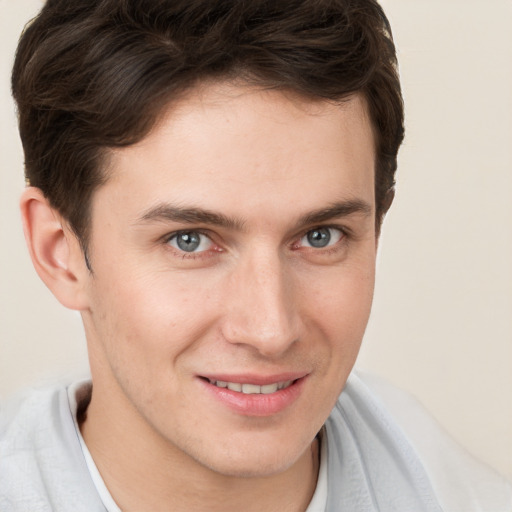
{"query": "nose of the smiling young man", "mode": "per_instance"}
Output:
(261, 309)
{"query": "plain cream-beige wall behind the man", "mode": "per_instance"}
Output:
(442, 320)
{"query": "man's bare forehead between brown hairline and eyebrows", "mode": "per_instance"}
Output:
(261, 147)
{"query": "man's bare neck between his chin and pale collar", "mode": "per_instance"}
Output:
(150, 473)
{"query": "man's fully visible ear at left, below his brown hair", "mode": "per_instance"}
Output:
(55, 250)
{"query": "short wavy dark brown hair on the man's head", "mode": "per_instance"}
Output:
(94, 74)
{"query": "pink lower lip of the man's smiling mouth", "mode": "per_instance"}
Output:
(257, 404)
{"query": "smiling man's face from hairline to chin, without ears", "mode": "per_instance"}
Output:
(233, 254)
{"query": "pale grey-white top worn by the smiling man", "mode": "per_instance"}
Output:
(380, 452)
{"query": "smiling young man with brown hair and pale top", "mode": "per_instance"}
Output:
(208, 181)
